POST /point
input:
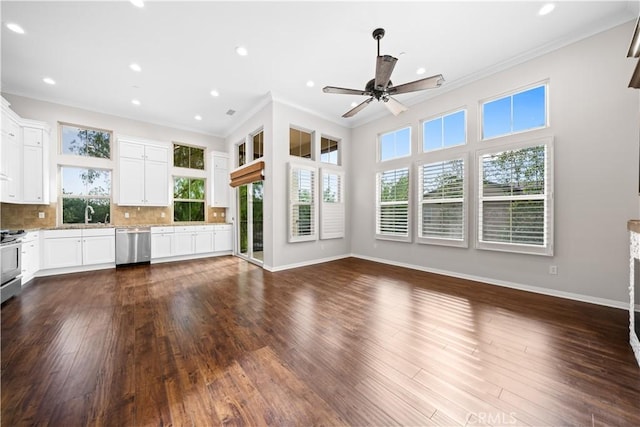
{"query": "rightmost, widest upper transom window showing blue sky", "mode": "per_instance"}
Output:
(518, 112)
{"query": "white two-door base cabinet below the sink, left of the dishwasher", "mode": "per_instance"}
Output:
(73, 248)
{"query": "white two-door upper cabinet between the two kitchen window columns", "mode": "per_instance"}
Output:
(143, 173)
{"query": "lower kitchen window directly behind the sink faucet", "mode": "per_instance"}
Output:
(86, 195)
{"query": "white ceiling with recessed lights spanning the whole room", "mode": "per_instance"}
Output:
(186, 49)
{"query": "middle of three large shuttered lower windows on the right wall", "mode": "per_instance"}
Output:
(442, 203)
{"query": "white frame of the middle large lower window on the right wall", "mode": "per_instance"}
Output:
(421, 201)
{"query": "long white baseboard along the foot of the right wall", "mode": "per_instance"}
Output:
(503, 283)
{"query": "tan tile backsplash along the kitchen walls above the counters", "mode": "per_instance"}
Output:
(27, 216)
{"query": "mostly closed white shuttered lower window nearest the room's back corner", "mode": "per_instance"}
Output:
(332, 210)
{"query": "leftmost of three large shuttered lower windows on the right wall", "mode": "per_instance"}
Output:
(392, 211)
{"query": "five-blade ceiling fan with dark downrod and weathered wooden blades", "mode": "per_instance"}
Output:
(381, 88)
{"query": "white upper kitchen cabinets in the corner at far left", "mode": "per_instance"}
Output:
(24, 159)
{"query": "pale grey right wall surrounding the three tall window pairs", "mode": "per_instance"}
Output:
(594, 119)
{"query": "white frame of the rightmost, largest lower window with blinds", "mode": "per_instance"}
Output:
(547, 248)
